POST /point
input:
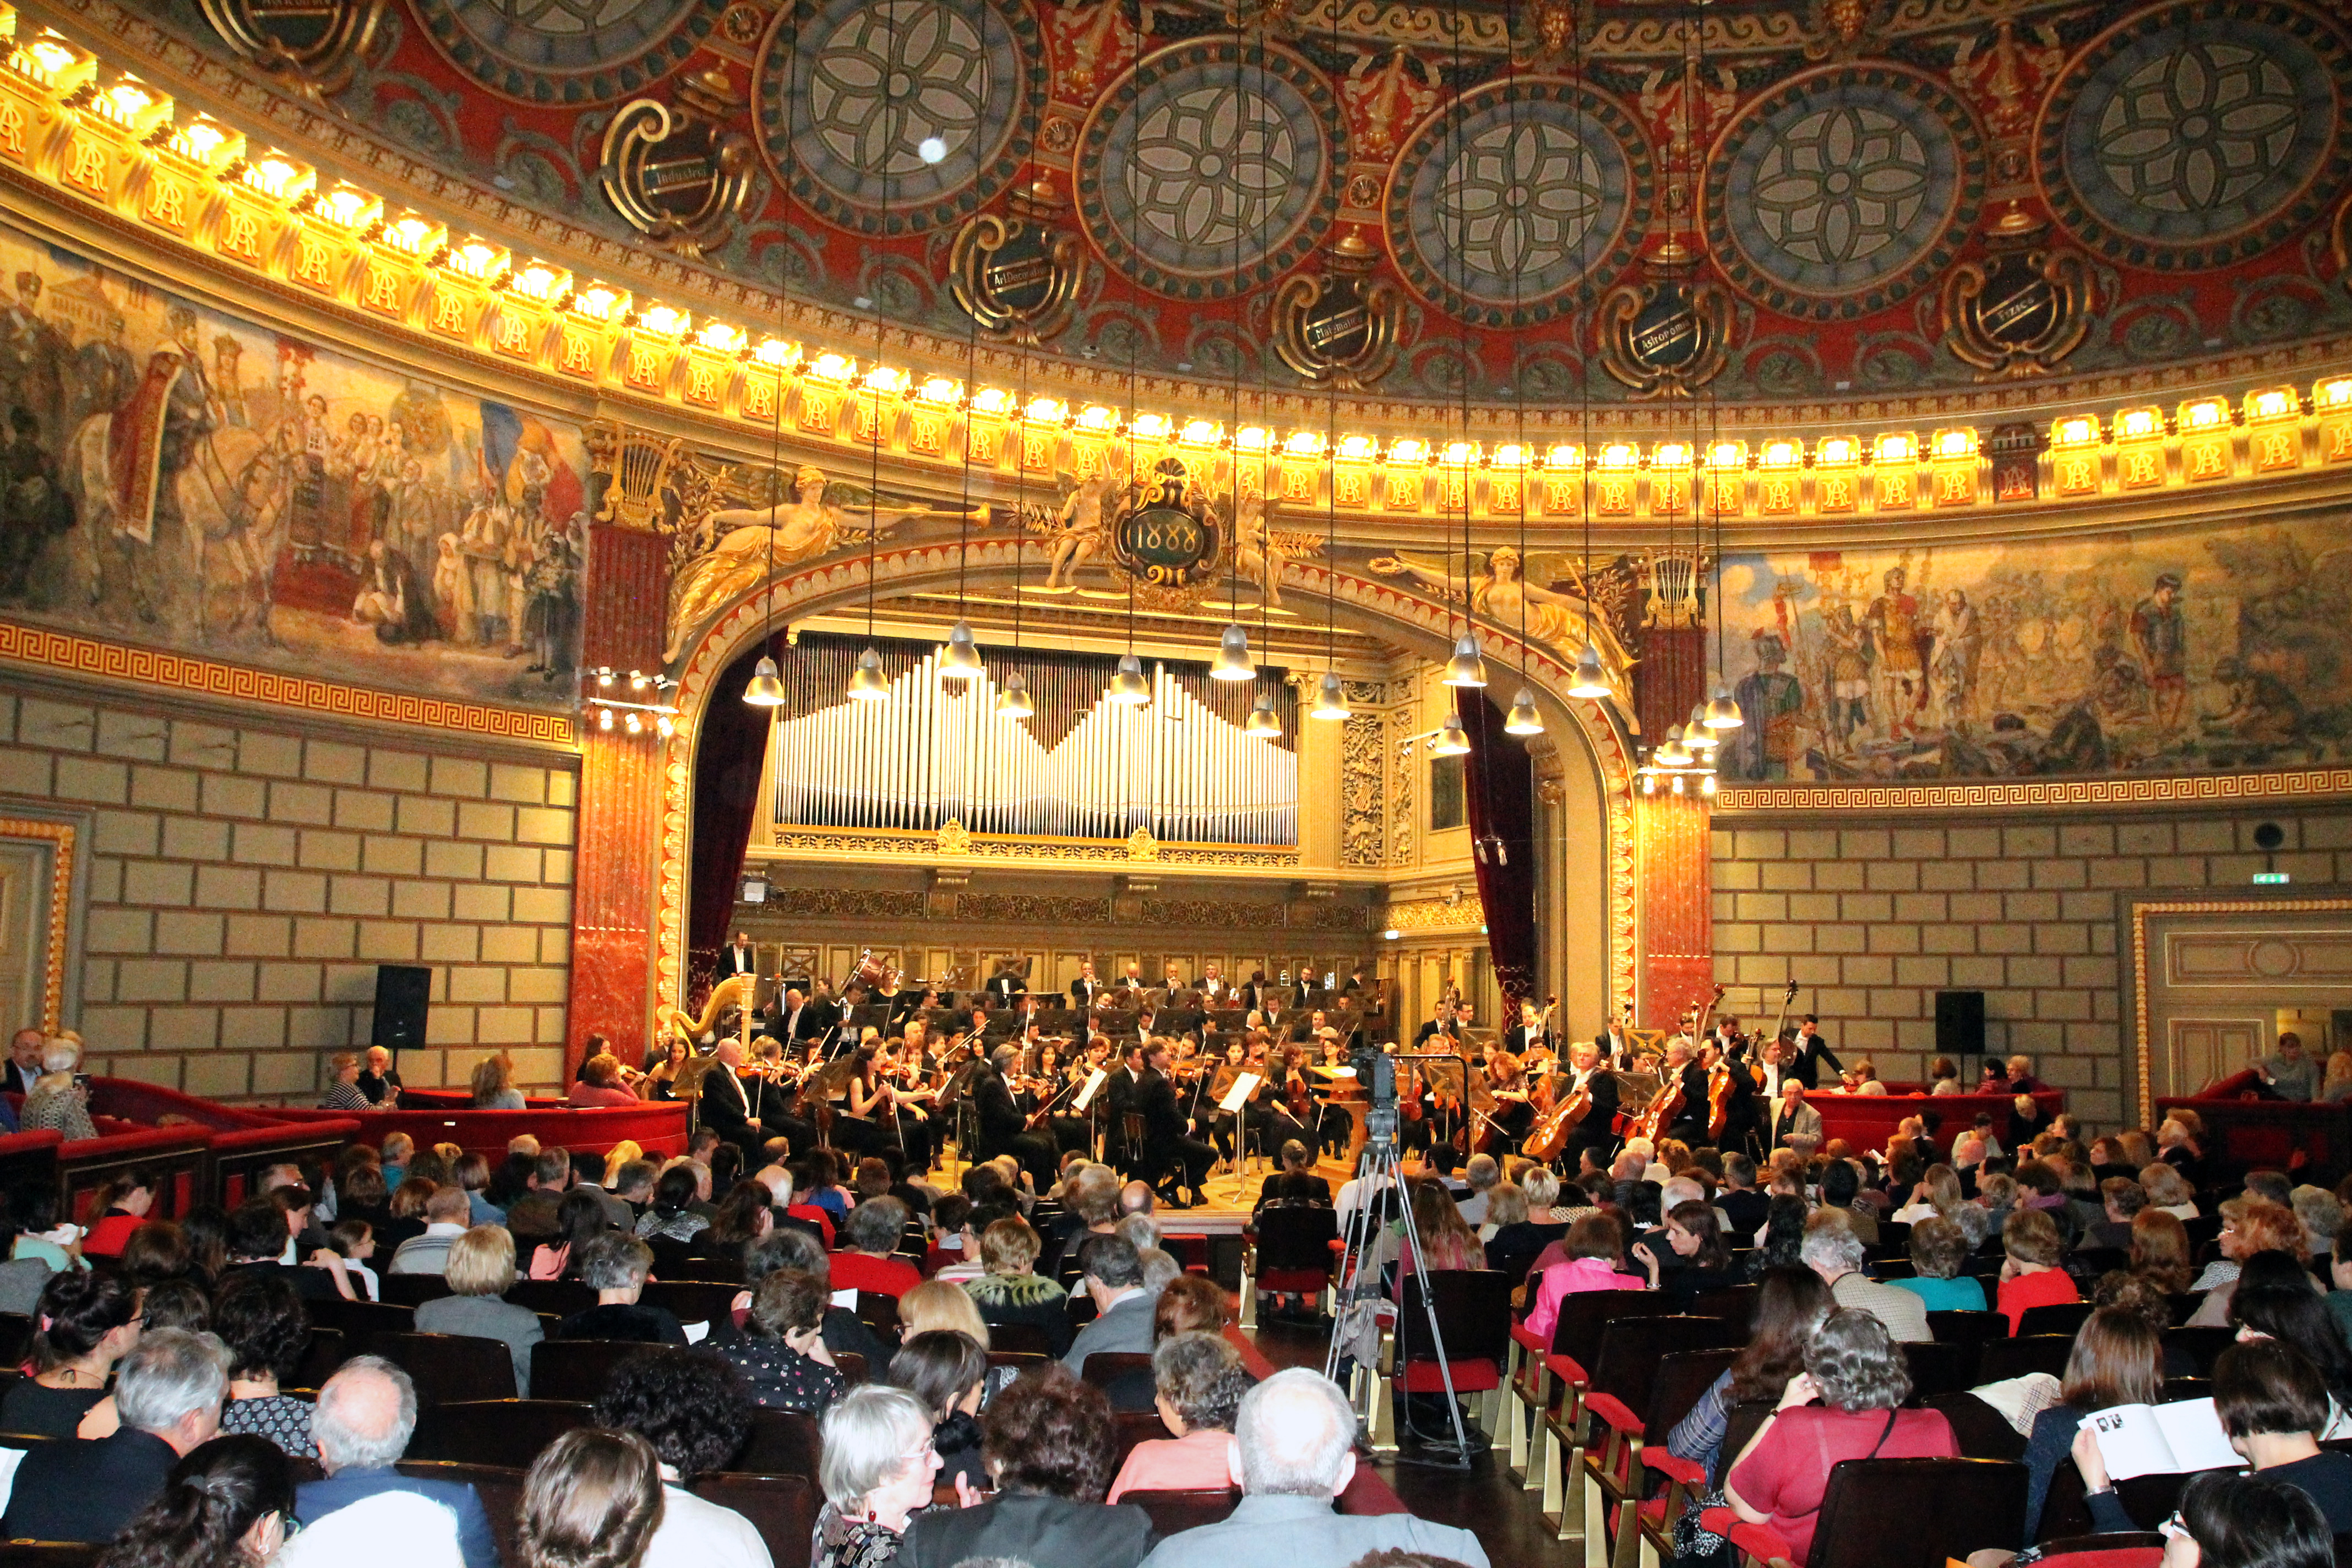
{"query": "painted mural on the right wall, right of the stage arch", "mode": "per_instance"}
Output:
(2113, 655)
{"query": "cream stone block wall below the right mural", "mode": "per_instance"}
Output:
(1873, 918)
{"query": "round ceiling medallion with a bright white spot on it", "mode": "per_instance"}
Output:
(853, 91)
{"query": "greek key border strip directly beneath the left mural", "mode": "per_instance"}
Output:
(76, 655)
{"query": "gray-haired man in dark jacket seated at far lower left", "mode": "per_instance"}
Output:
(168, 1395)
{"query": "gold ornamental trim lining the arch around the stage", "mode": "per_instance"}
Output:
(1370, 605)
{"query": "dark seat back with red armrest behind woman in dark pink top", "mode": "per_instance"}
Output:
(1899, 1515)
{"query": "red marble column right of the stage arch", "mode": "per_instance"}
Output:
(1673, 899)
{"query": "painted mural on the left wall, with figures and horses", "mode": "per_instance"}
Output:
(182, 478)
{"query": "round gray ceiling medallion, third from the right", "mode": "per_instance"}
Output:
(1509, 201)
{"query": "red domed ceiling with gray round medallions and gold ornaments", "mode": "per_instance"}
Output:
(1434, 203)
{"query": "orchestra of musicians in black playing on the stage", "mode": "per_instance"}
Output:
(1151, 1078)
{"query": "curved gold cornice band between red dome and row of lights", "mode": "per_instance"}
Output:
(403, 177)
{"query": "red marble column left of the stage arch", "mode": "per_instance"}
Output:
(620, 815)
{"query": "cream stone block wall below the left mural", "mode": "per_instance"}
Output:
(248, 876)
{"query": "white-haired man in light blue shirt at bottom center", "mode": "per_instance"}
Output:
(1292, 1454)
